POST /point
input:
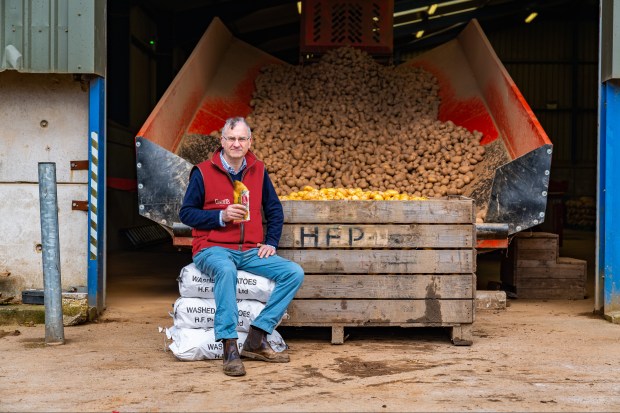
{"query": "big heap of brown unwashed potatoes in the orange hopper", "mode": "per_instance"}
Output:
(348, 121)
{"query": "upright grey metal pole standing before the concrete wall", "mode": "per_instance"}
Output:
(54, 329)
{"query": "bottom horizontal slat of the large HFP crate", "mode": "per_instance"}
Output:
(364, 312)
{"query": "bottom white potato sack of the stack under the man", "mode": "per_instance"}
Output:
(193, 344)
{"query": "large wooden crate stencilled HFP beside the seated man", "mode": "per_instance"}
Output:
(383, 263)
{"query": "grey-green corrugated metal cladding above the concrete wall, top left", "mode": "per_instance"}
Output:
(53, 36)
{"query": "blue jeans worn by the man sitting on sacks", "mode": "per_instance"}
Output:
(223, 263)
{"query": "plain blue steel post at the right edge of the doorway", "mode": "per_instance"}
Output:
(609, 199)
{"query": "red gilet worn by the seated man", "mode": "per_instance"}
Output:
(219, 194)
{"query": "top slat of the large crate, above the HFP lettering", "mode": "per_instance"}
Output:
(433, 211)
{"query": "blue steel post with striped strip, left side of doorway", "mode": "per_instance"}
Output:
(96, 195)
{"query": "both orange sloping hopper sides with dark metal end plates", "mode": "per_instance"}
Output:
(476, 92)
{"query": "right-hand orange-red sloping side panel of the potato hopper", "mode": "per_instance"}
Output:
(478, 93)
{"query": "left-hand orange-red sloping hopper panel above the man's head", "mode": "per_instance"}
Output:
(215, 83)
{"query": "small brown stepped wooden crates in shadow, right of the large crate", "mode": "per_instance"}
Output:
(532, 268)
